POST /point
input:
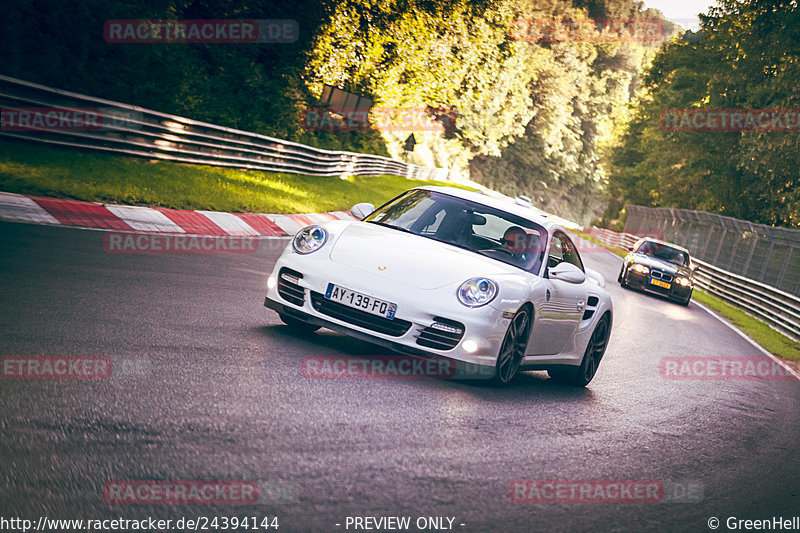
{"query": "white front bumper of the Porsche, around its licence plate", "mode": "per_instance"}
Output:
(484, 327)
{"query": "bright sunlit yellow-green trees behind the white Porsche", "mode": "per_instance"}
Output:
(533, 116)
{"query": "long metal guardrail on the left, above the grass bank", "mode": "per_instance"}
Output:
(135, 131)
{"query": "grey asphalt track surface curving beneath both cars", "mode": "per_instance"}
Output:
(206, 385)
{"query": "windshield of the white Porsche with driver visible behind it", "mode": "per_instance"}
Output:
(475, 227)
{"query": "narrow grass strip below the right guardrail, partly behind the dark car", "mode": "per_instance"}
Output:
(758, 330)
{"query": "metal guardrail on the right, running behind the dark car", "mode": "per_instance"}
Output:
(777, 308)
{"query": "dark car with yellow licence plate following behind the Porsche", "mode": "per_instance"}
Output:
(659, 267)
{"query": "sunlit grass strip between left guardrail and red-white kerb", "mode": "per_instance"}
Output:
(38, 169)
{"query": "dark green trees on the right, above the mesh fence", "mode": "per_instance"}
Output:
(745, 57)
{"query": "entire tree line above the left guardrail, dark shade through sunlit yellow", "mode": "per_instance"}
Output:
(532, 116)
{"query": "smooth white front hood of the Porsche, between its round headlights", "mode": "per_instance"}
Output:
(410, 259)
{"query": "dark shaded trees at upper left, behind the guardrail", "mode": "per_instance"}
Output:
(257, 87)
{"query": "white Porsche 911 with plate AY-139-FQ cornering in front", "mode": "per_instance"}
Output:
(439, 271)
